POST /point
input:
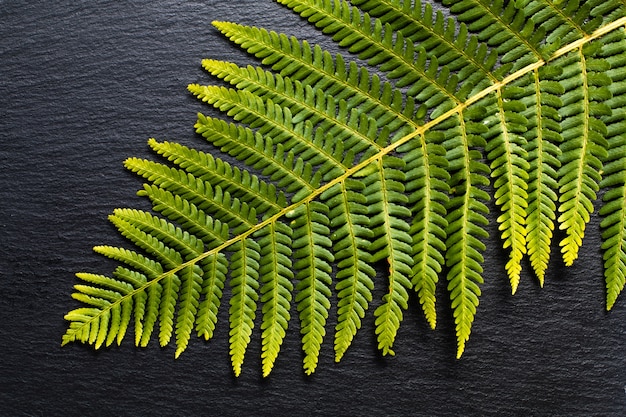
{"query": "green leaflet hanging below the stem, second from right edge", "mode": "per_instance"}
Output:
(584, 144)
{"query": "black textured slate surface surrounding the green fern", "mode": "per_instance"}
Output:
(83, 84)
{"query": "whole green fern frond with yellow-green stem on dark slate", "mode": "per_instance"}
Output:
(392, 161)
